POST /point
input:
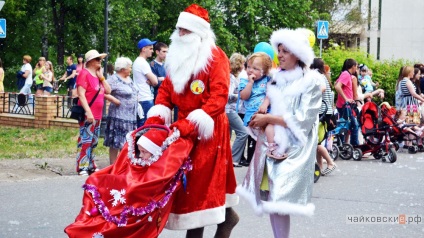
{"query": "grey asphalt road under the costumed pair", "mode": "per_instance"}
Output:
(368, 188)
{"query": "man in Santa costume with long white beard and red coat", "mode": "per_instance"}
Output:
(197, 82)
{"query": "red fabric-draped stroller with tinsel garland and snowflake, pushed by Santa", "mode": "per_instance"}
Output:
(133, 197)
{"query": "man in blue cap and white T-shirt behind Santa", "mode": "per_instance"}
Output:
(143, 77)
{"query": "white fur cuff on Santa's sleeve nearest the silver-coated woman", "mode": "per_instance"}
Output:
(203, 122)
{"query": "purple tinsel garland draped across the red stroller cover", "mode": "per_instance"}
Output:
(139, 211)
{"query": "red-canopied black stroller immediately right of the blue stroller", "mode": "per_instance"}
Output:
(376, 135)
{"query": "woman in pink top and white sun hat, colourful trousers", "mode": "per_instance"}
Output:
(91, 87)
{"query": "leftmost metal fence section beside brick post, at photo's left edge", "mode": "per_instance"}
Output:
(18, 103)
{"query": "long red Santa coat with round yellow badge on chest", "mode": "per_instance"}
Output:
(211, 184)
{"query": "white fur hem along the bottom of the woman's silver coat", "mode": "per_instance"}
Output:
(287, 208)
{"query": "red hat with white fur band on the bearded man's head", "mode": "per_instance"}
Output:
(196, 19)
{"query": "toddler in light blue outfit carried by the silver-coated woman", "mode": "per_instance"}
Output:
(253, 89)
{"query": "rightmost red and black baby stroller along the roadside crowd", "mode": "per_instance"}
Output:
(398, 134)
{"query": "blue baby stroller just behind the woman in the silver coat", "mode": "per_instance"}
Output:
(346, 121)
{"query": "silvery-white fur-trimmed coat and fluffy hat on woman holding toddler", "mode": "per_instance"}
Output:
(295, 95)
